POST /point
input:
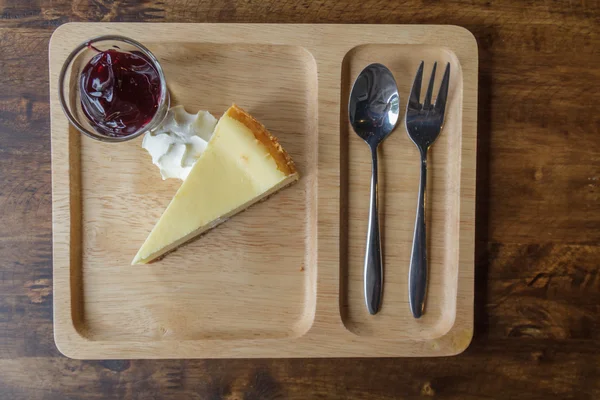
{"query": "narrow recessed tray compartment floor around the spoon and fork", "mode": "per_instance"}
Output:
(398, 189)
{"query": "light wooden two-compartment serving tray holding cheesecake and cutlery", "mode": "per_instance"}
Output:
(283, 279)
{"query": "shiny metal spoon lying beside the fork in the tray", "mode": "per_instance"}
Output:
(373, 111)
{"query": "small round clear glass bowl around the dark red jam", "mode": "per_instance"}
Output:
(70, 92)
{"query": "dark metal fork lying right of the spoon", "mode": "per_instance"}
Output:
(423, 125)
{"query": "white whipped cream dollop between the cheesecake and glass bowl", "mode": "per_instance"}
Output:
(178, 141)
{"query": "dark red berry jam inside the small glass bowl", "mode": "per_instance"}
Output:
(120, 92)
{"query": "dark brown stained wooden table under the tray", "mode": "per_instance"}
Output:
(538, 214)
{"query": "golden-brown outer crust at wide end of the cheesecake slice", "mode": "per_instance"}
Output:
(283, 160)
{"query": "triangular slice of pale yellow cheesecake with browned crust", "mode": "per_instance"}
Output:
(241, 165)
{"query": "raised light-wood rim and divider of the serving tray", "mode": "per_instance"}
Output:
(317, 342)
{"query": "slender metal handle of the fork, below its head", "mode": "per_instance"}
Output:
(417, 276)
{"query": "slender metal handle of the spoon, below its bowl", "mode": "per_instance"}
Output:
(373, 262)
